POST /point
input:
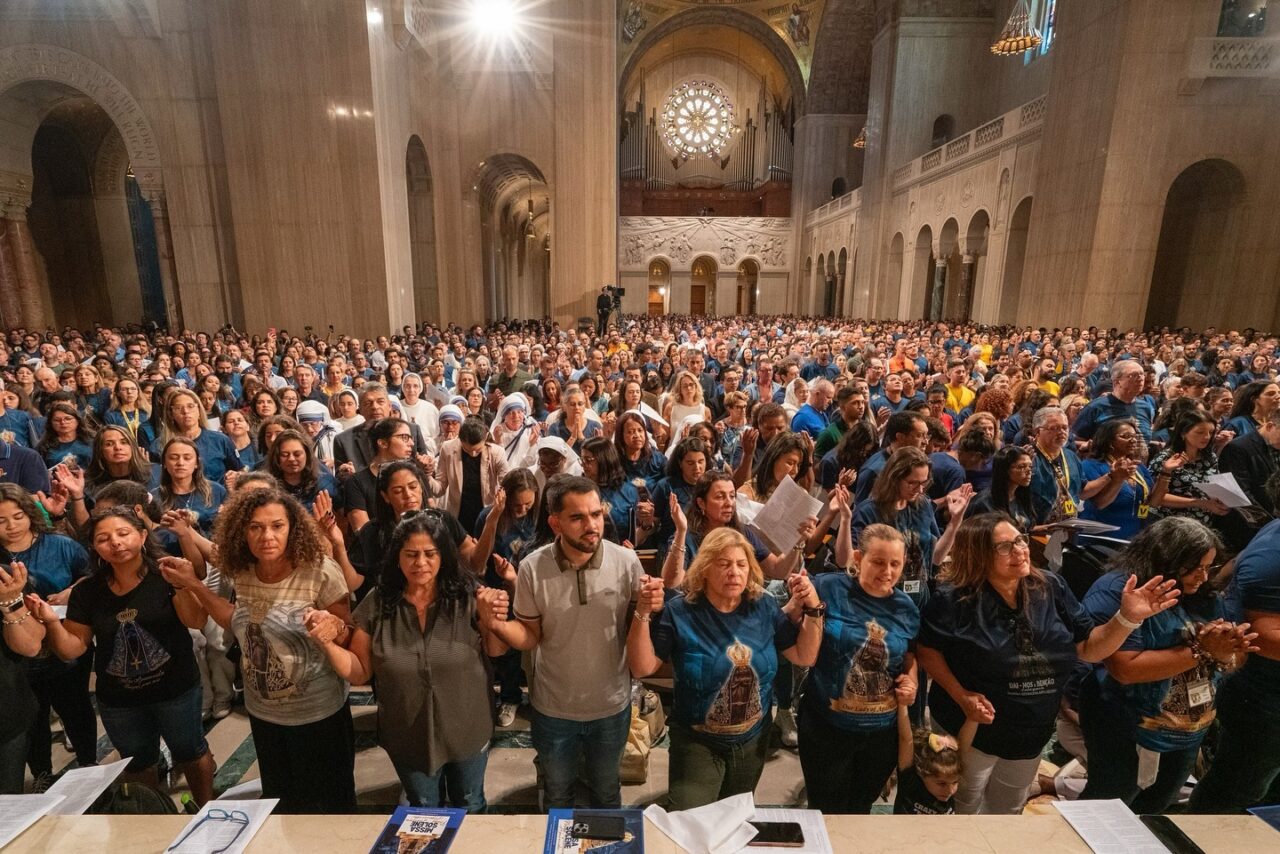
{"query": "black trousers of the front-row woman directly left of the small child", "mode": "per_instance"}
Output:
(844, 773)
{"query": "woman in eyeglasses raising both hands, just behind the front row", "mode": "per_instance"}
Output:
(899, 500)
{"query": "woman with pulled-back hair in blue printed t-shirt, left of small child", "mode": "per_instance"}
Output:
(866, 670)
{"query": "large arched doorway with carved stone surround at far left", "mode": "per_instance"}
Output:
(92, 241)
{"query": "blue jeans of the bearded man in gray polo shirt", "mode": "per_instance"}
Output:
(560, 743)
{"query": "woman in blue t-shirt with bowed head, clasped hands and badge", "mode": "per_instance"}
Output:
(1154, 701)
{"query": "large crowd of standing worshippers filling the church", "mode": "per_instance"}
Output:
(1026, 540)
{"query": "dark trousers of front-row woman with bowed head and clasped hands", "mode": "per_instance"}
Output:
(1114, 761)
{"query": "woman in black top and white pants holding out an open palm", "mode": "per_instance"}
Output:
(1000, 638)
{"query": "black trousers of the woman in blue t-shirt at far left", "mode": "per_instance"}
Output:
(65, 688)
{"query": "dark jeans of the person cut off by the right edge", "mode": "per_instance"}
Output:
(1247, 764)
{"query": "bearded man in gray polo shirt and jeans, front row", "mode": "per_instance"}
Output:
(573, 605)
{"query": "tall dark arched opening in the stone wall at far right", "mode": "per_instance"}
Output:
(1195, 270)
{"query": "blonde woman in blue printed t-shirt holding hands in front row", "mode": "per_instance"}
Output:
(724, 638)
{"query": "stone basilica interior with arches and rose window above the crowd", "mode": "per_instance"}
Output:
(385, 163)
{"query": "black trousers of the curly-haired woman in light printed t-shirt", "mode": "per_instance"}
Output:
(310, 768)
